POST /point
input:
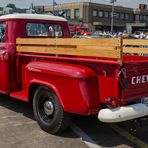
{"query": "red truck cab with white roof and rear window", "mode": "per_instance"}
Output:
(24, 26)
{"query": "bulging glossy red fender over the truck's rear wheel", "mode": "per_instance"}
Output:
(76, 85)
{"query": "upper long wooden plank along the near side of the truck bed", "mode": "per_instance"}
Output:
(68, 41)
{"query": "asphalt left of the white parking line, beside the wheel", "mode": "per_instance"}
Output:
(18, 129)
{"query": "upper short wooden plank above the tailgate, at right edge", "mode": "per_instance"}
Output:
(135, 42)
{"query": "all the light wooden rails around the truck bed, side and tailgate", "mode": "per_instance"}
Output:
(105, 48)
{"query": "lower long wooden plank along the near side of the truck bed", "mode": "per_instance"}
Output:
(71, 51)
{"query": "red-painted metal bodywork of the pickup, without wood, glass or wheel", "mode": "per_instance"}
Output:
(82, 85)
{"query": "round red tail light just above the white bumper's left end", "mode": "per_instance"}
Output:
(112, 102)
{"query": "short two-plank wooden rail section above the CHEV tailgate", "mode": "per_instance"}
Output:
(135, 46)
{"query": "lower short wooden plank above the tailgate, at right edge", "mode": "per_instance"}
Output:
(135, 50)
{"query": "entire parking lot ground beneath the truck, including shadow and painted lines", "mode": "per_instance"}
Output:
(18, 129)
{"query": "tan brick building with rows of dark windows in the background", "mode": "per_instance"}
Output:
(98, 16)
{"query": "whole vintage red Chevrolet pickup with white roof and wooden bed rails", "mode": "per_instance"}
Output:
(40, 63)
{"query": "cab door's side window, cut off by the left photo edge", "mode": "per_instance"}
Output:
(2, 32)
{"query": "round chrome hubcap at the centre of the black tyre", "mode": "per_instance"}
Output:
(48, 108)
